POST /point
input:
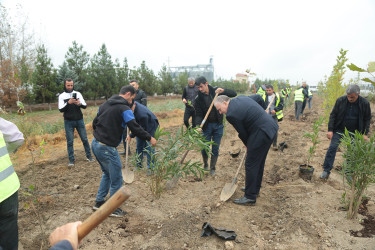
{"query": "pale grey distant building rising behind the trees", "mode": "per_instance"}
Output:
(206, 70)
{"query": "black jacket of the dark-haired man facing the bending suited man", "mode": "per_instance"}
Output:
(201, 108)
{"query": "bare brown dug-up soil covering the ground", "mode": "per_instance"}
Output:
(289, 214)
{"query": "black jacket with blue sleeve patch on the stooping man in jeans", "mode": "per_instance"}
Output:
(111, 119)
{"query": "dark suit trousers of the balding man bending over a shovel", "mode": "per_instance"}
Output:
(258, 146)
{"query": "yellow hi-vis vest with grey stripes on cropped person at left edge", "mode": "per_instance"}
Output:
(9, 183)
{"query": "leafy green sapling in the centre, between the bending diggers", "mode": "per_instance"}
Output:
(168, 159)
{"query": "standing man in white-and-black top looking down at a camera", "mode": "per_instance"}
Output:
(70, 103)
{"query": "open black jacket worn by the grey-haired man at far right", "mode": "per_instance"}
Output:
(337, 116)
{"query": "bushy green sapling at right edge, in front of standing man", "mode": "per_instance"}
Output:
(358, 169)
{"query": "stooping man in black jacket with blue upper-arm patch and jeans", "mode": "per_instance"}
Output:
(108, 125)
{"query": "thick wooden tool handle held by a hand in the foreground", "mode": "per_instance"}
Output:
(103, 212)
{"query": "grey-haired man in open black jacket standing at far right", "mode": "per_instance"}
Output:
(352, 112)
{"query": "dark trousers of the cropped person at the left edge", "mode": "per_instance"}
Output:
(8, 222)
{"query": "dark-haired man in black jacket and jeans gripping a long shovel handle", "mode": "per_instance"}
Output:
(213, 127)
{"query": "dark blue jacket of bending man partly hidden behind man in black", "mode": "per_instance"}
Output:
(145, 118)
